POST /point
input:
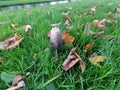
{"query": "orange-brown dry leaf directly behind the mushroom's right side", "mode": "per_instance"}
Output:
(67, 38)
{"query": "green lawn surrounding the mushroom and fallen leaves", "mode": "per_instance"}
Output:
(44, 67)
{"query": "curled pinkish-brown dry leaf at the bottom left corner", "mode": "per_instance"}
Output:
(17, 83)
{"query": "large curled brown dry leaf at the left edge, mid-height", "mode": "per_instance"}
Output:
(11, 42)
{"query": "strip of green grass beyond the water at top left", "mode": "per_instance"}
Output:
(13, 2)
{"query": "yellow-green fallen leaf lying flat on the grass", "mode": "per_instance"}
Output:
(96, 59)
